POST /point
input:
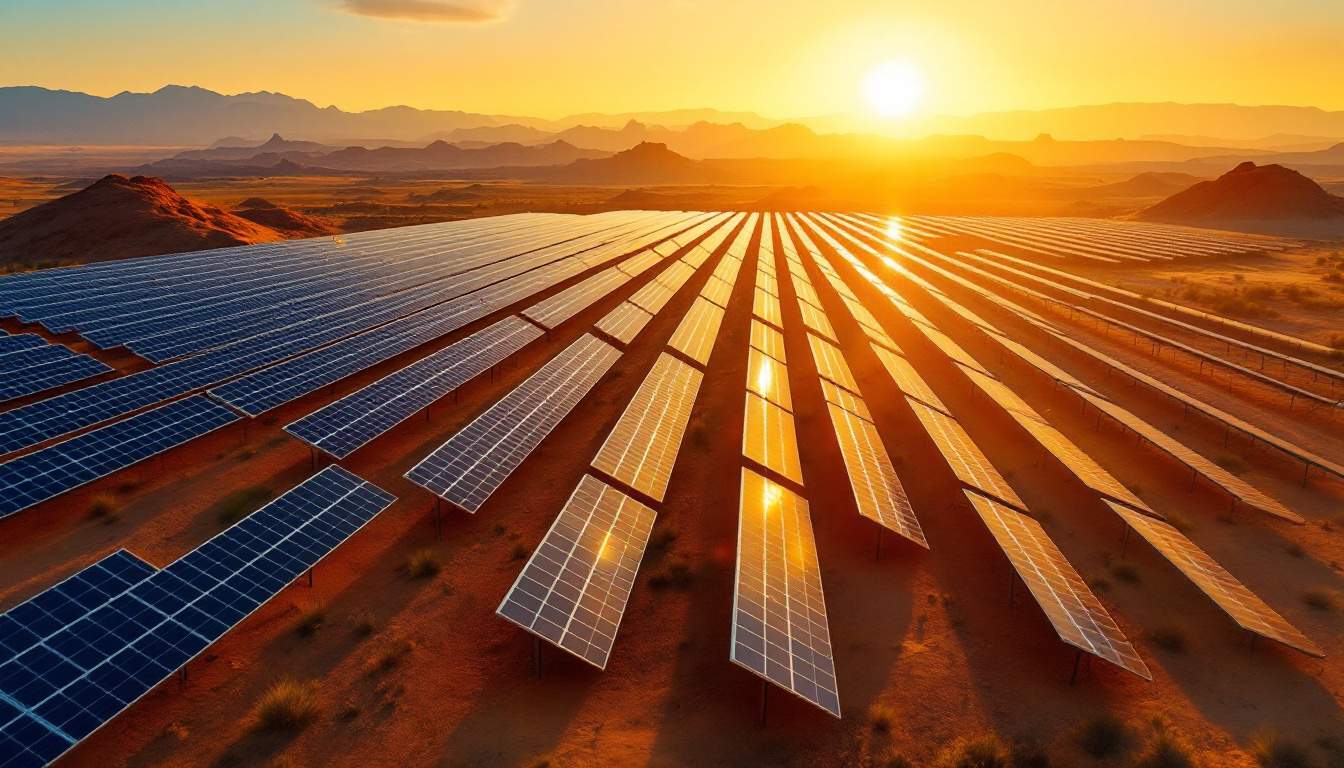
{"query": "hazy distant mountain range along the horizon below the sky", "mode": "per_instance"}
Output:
(190, 116)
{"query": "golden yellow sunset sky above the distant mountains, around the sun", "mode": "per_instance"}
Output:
(780, 59)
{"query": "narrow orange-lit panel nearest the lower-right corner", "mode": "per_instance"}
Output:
(1247, 610)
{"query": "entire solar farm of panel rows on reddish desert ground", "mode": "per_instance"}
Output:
(678, 474)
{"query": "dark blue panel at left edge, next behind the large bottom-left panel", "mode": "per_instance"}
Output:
(52, 471)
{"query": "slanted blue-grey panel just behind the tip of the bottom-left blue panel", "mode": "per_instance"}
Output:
(353, 422)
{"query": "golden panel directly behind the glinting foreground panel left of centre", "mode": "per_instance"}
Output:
(644, 445)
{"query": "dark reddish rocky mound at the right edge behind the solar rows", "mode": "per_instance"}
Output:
(1249, 193)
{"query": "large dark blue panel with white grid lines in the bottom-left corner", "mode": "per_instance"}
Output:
(79, 677)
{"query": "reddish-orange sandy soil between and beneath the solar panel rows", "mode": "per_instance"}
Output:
(928, 648)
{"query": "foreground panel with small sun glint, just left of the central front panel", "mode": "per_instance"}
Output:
(575, 588)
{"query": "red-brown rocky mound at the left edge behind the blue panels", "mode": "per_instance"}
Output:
(120, 217)
